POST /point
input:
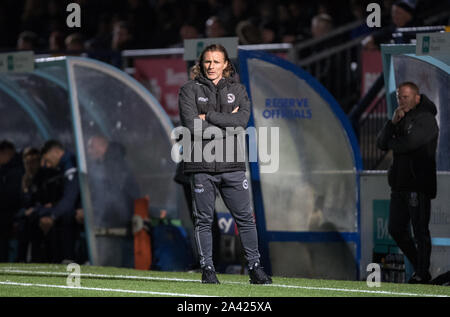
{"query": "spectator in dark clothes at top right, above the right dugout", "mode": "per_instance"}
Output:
(403, 15)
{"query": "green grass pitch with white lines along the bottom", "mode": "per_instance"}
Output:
(35, 280)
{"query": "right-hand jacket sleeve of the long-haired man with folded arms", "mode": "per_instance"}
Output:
(234, 120)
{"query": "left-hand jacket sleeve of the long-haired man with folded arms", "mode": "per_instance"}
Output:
(188, 111)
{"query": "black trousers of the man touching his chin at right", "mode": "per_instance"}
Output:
(406, 209)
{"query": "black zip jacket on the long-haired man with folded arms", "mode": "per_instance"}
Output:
(201, 96)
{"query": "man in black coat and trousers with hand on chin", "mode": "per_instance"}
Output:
(412, 135)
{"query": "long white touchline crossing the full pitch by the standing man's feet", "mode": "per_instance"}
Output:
(224, 282)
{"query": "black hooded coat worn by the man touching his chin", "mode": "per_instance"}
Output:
(413, 141)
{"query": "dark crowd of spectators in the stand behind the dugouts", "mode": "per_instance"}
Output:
(40, 25)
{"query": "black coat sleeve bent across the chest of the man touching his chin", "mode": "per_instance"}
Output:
(422, 131)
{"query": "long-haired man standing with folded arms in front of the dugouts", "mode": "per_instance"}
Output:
(214, 100)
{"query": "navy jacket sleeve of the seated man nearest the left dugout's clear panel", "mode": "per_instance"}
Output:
(68, 201)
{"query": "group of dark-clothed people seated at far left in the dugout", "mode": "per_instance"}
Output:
(40, 205)
